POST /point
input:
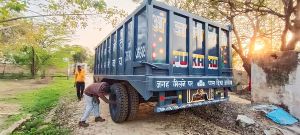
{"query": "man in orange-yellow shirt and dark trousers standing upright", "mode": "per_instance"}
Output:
(80, 81)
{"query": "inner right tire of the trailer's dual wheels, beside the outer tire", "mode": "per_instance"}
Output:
(133, 100)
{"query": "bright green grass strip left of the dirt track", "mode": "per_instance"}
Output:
(38, 103)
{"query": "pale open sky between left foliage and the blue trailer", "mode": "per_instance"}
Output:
(90, 36)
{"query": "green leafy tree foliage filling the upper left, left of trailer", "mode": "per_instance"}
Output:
(37, 37)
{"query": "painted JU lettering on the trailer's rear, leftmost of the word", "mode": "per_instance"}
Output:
(180, 59)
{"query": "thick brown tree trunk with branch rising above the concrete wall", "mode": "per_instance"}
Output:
(290, 15)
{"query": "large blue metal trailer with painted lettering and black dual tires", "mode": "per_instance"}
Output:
(165, 55)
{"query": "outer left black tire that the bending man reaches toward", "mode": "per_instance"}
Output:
(118, 111)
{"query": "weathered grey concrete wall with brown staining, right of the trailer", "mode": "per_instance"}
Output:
(276, 79)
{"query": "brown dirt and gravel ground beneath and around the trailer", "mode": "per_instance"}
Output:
(208, 120)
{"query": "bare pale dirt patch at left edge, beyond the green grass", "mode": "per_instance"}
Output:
(9, 88)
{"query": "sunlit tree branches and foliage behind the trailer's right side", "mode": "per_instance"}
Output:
(252, 21)
